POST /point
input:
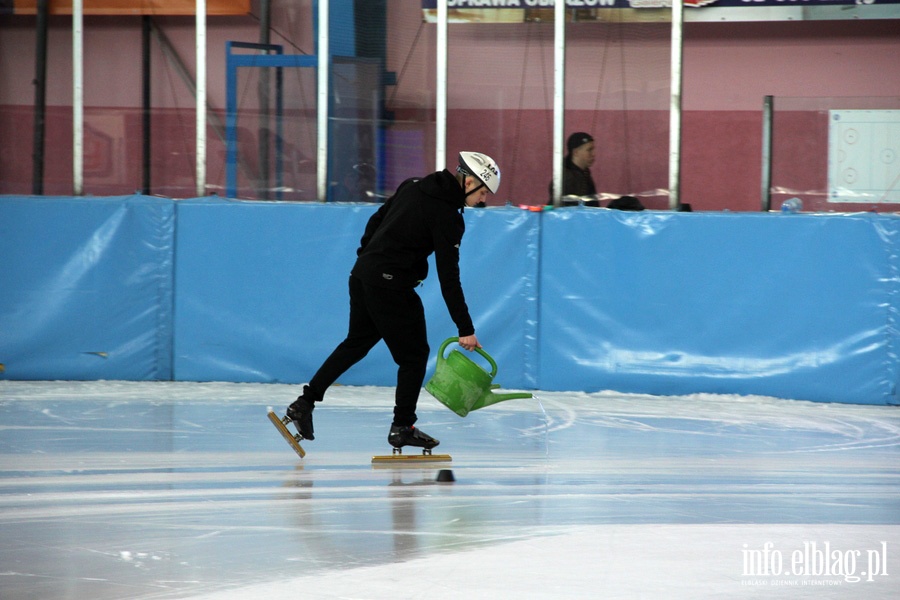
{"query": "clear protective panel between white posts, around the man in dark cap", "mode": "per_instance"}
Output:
(618, 71)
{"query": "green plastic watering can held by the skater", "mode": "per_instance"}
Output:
(463, 386)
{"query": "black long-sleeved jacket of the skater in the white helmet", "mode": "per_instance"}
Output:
(424, 216)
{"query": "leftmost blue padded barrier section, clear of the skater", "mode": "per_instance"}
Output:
(87, 287)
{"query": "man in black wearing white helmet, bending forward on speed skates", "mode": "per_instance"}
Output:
(424, 216)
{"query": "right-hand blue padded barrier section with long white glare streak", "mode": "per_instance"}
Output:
(795, 306)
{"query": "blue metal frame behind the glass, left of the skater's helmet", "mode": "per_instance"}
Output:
(233, 62)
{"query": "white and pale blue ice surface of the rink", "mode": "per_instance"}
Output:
(185, 490)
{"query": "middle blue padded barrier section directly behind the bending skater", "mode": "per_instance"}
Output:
(262, 290)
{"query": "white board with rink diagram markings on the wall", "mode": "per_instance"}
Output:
(864, 156)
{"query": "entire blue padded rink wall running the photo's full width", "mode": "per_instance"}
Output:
(146, 288)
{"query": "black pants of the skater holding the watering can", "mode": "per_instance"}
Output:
(398, 318)
